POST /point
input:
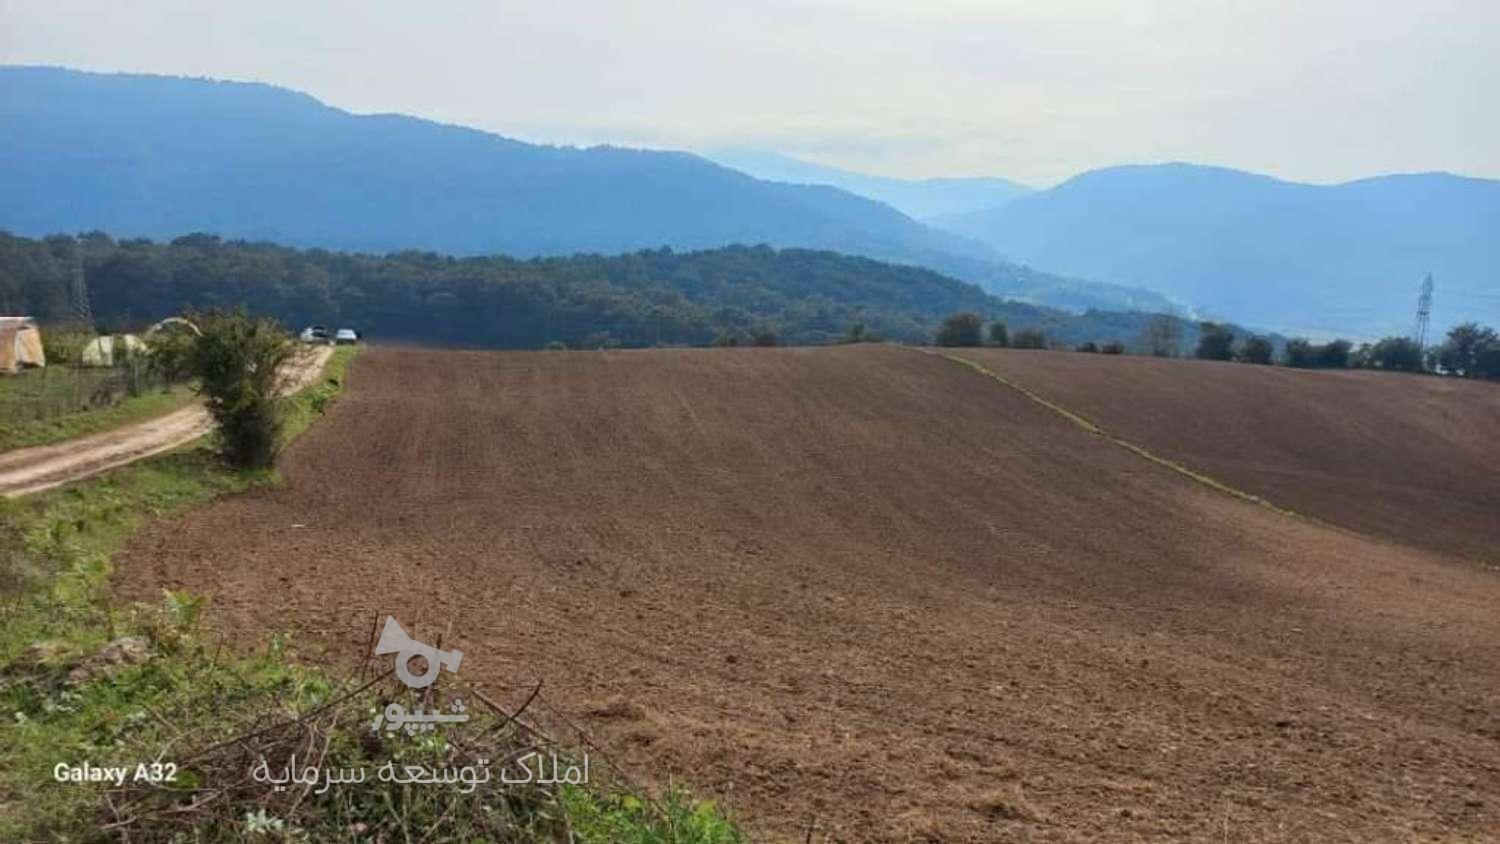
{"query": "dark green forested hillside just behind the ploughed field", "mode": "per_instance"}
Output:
(640, 299)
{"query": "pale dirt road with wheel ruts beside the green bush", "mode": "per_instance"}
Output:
(28, 471)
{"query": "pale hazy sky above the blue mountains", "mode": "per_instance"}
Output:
(1037, 91)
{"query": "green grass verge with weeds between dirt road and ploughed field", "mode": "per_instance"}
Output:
(85, 680)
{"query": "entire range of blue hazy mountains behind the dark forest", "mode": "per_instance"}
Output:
(160, 157)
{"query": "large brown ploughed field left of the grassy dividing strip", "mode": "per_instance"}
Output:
(871, 587)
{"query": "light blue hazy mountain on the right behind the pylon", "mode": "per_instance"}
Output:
(1267, 253)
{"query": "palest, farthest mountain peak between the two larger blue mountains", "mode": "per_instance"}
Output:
(919, 199)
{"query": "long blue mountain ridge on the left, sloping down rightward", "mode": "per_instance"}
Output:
(160, 157)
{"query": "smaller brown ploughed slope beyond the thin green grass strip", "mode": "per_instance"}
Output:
(1408, 458)
